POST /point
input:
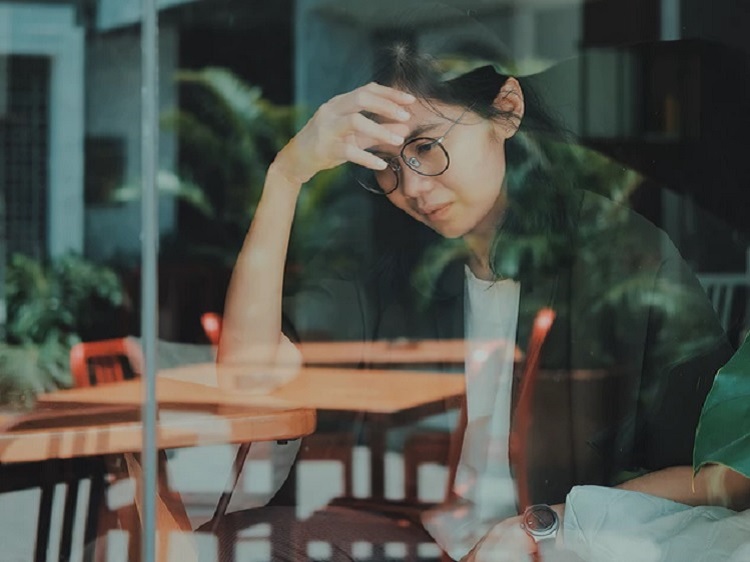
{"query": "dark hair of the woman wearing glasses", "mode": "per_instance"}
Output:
(536, 232)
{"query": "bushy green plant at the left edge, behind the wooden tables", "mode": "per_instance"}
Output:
(50, 307)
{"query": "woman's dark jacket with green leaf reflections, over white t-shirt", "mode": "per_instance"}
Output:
(626, 366)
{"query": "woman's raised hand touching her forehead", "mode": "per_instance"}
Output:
(338, 132)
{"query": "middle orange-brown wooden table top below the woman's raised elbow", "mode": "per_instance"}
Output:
(322, 388)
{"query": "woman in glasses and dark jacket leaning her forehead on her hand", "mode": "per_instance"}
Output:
(468, 158)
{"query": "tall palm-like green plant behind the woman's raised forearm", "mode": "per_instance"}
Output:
(228, 135)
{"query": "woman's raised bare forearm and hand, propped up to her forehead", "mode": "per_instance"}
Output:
(337, 133)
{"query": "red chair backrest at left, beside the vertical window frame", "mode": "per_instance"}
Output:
(105, 361)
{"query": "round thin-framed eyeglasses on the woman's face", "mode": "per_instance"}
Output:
(425, 156)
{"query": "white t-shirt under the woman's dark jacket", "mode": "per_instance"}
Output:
(483, 478)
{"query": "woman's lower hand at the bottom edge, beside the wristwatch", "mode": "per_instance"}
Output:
(508, 542)
